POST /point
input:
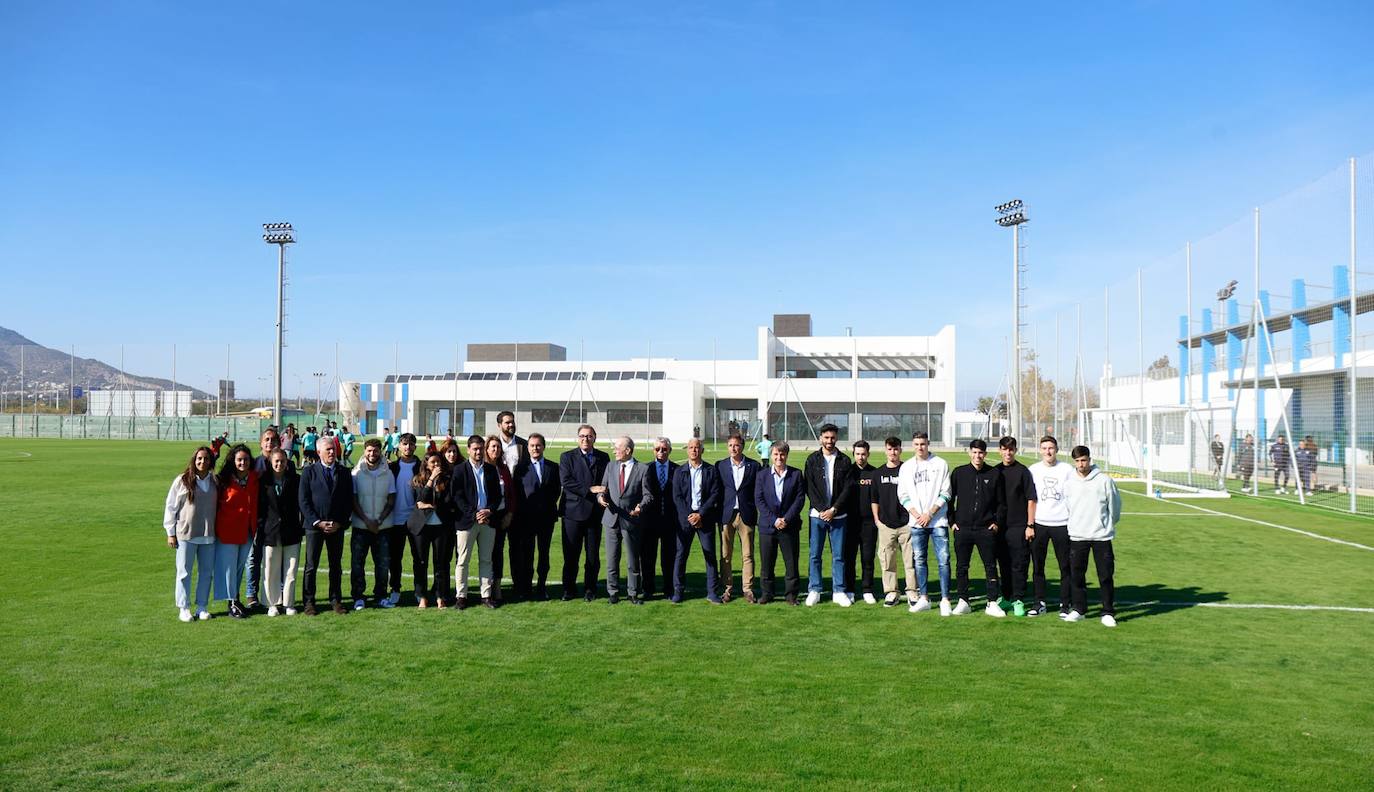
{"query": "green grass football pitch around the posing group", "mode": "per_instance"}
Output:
(1199, 688)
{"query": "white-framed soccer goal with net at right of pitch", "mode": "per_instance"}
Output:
(1175, 452)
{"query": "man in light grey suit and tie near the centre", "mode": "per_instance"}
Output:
(626, 497)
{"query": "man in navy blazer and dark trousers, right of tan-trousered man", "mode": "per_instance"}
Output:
(778, 494)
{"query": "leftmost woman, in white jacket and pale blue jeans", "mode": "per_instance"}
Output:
(189, 520)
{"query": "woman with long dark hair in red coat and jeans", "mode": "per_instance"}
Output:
(236, 523)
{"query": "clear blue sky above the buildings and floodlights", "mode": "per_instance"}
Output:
(618, 173)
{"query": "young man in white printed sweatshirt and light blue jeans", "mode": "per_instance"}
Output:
(924, 489)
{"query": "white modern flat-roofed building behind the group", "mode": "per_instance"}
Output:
(869, 387)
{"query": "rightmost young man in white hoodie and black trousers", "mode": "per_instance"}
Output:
(1094, 511)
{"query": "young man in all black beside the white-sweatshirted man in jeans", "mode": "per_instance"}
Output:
(975, 504)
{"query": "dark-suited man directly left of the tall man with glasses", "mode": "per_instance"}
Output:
(541, 490)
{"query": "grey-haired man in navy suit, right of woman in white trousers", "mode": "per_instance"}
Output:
(326, 509)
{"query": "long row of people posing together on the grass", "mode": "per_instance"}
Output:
(244, 527)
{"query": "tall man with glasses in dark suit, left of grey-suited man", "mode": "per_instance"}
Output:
(579, 471)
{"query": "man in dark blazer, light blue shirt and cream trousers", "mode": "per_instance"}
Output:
(477, 496)
